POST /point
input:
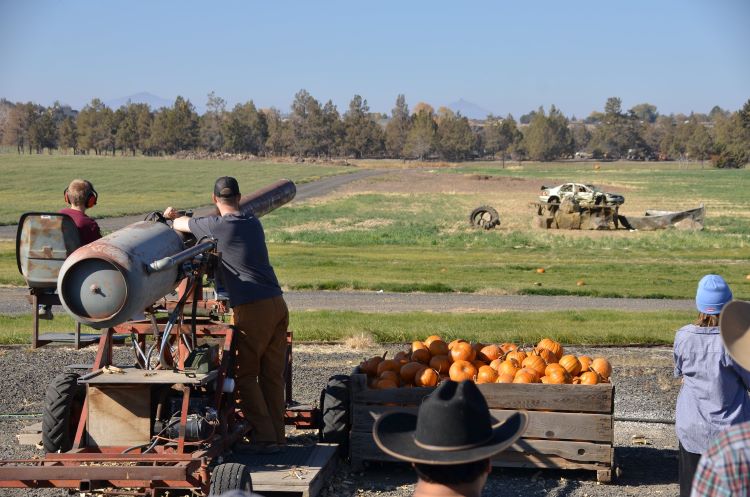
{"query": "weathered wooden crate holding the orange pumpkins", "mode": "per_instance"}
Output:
(570, 426)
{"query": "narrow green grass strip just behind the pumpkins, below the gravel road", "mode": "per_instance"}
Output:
(569, 327)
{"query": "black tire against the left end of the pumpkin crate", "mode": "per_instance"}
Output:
(334, 408)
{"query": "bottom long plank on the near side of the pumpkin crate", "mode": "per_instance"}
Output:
(363, 448)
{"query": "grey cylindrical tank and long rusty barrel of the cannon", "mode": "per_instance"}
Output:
(117, 277)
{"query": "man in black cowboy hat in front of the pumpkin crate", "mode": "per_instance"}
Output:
(450, 441)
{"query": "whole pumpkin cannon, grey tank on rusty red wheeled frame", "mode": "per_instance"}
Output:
(162, 423)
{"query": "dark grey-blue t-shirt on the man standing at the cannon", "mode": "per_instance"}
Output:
(245, 268)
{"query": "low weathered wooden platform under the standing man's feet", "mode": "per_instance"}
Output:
(300, 469)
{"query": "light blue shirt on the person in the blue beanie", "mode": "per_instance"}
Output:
(714, 392)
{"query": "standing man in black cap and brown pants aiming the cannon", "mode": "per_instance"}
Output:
(259, 311)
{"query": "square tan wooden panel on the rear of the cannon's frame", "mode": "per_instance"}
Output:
(119, 416)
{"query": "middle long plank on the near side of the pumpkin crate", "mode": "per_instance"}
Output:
(556, 425)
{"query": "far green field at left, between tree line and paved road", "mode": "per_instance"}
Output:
(133, 185)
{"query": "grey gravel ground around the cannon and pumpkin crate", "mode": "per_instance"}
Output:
(645, 389)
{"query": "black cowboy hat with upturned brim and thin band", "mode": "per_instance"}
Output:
(453, 426)
